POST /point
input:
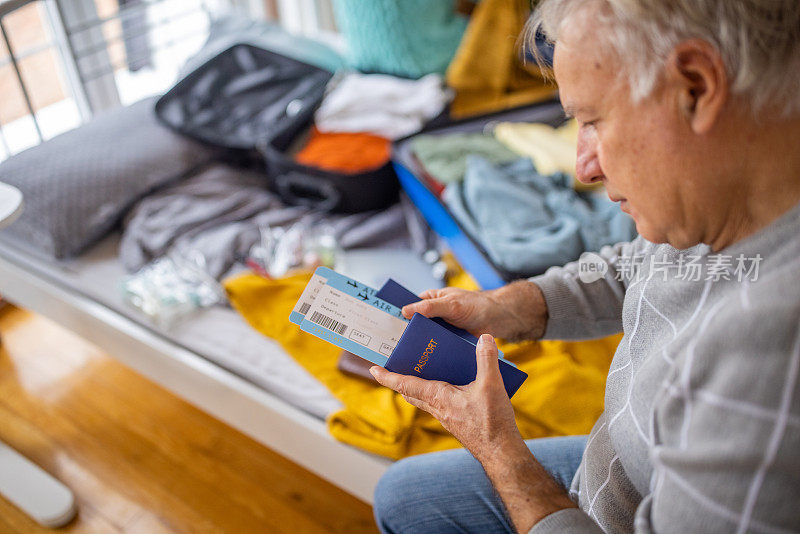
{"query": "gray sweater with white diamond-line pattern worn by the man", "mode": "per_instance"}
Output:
(701, 430)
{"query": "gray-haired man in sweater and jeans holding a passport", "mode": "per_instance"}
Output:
(689, 113)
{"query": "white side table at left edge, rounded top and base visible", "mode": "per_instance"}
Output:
(23, 483)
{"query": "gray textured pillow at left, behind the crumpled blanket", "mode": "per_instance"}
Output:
(78, 185)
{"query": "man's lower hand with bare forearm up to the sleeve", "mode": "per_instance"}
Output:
(480, 416)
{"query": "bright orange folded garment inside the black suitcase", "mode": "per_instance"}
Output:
(344, 152)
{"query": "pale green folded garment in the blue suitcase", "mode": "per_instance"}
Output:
(444, 157)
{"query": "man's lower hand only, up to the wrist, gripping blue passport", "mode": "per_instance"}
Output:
(479, 414)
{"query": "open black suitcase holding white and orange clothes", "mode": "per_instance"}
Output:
(255, 103)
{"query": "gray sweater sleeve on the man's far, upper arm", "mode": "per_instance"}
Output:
(581, 308)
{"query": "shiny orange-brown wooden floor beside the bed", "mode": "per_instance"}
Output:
(139, 459)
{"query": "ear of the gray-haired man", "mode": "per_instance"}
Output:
(696, 70)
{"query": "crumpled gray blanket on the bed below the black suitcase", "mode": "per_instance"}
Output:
(218, 213)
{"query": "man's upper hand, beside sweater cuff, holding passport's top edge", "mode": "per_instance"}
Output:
(515, 312)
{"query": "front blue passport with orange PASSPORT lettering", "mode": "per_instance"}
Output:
(429, 350)
